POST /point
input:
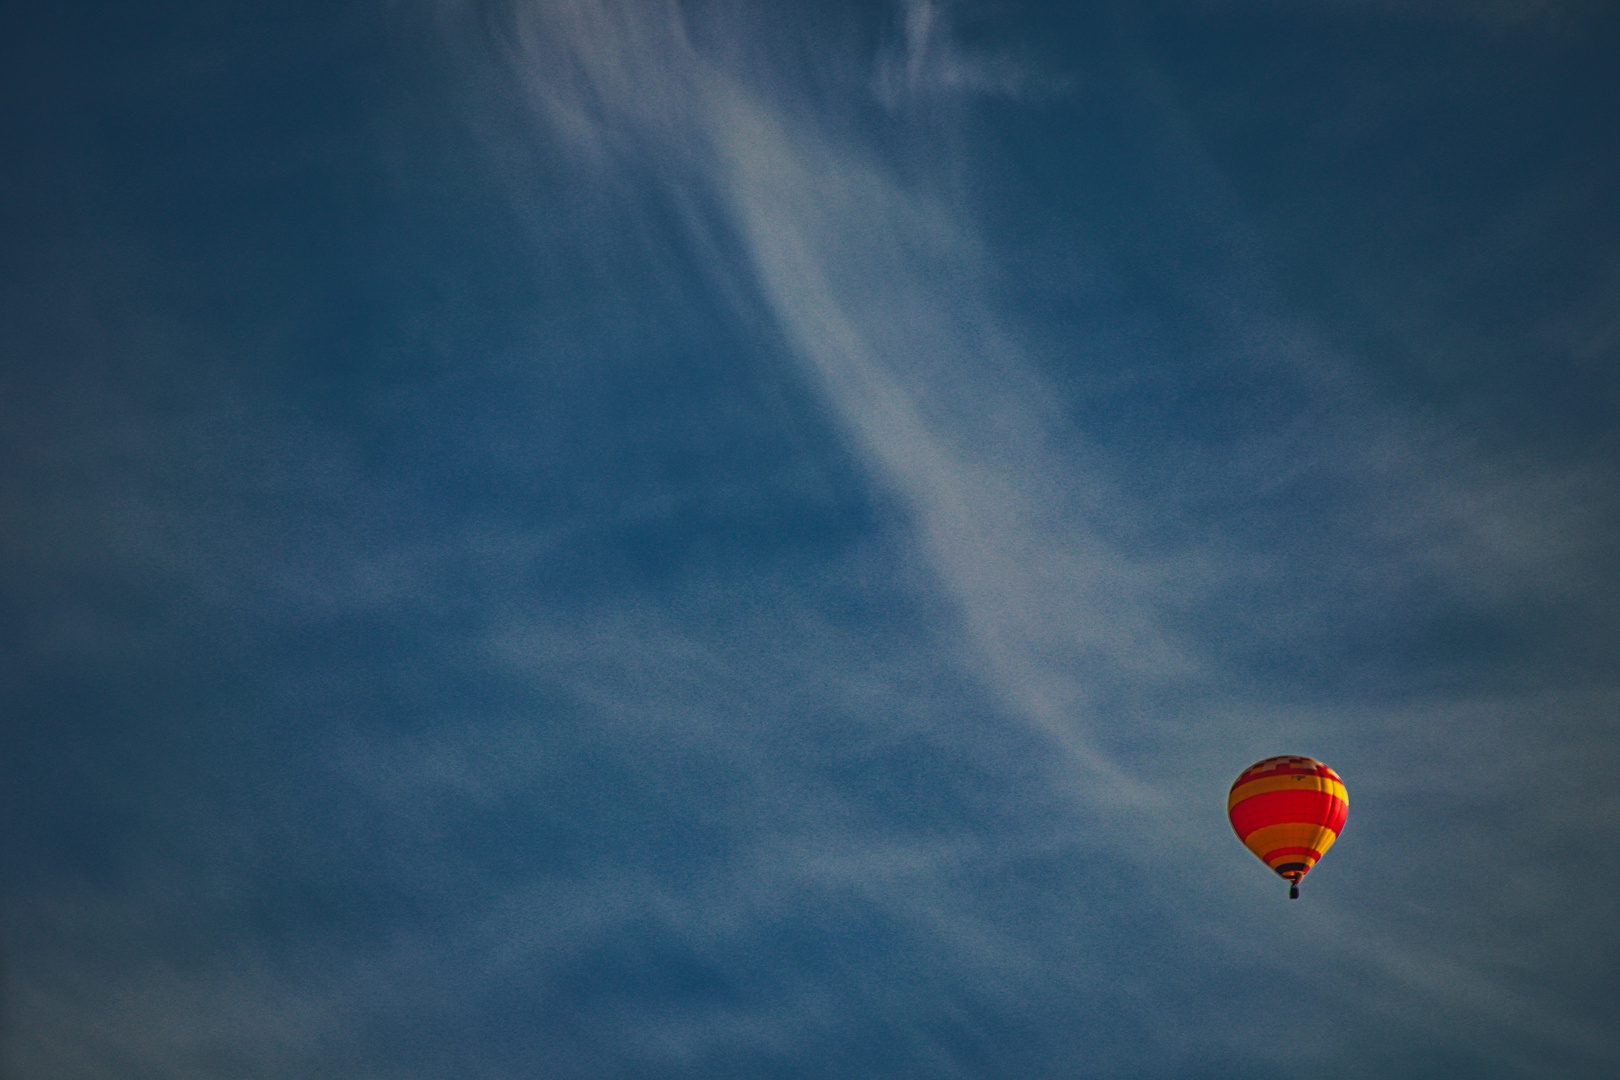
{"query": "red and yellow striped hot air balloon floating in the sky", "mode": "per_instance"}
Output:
(1289, 812)
